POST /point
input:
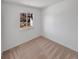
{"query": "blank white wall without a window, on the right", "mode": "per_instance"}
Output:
(60, 23)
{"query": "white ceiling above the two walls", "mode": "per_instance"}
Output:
(35, 3)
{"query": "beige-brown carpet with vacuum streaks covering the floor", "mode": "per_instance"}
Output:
(40, 48)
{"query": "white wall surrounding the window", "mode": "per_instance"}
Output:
(11, 35)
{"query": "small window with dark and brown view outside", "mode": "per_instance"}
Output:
(26, 20)
